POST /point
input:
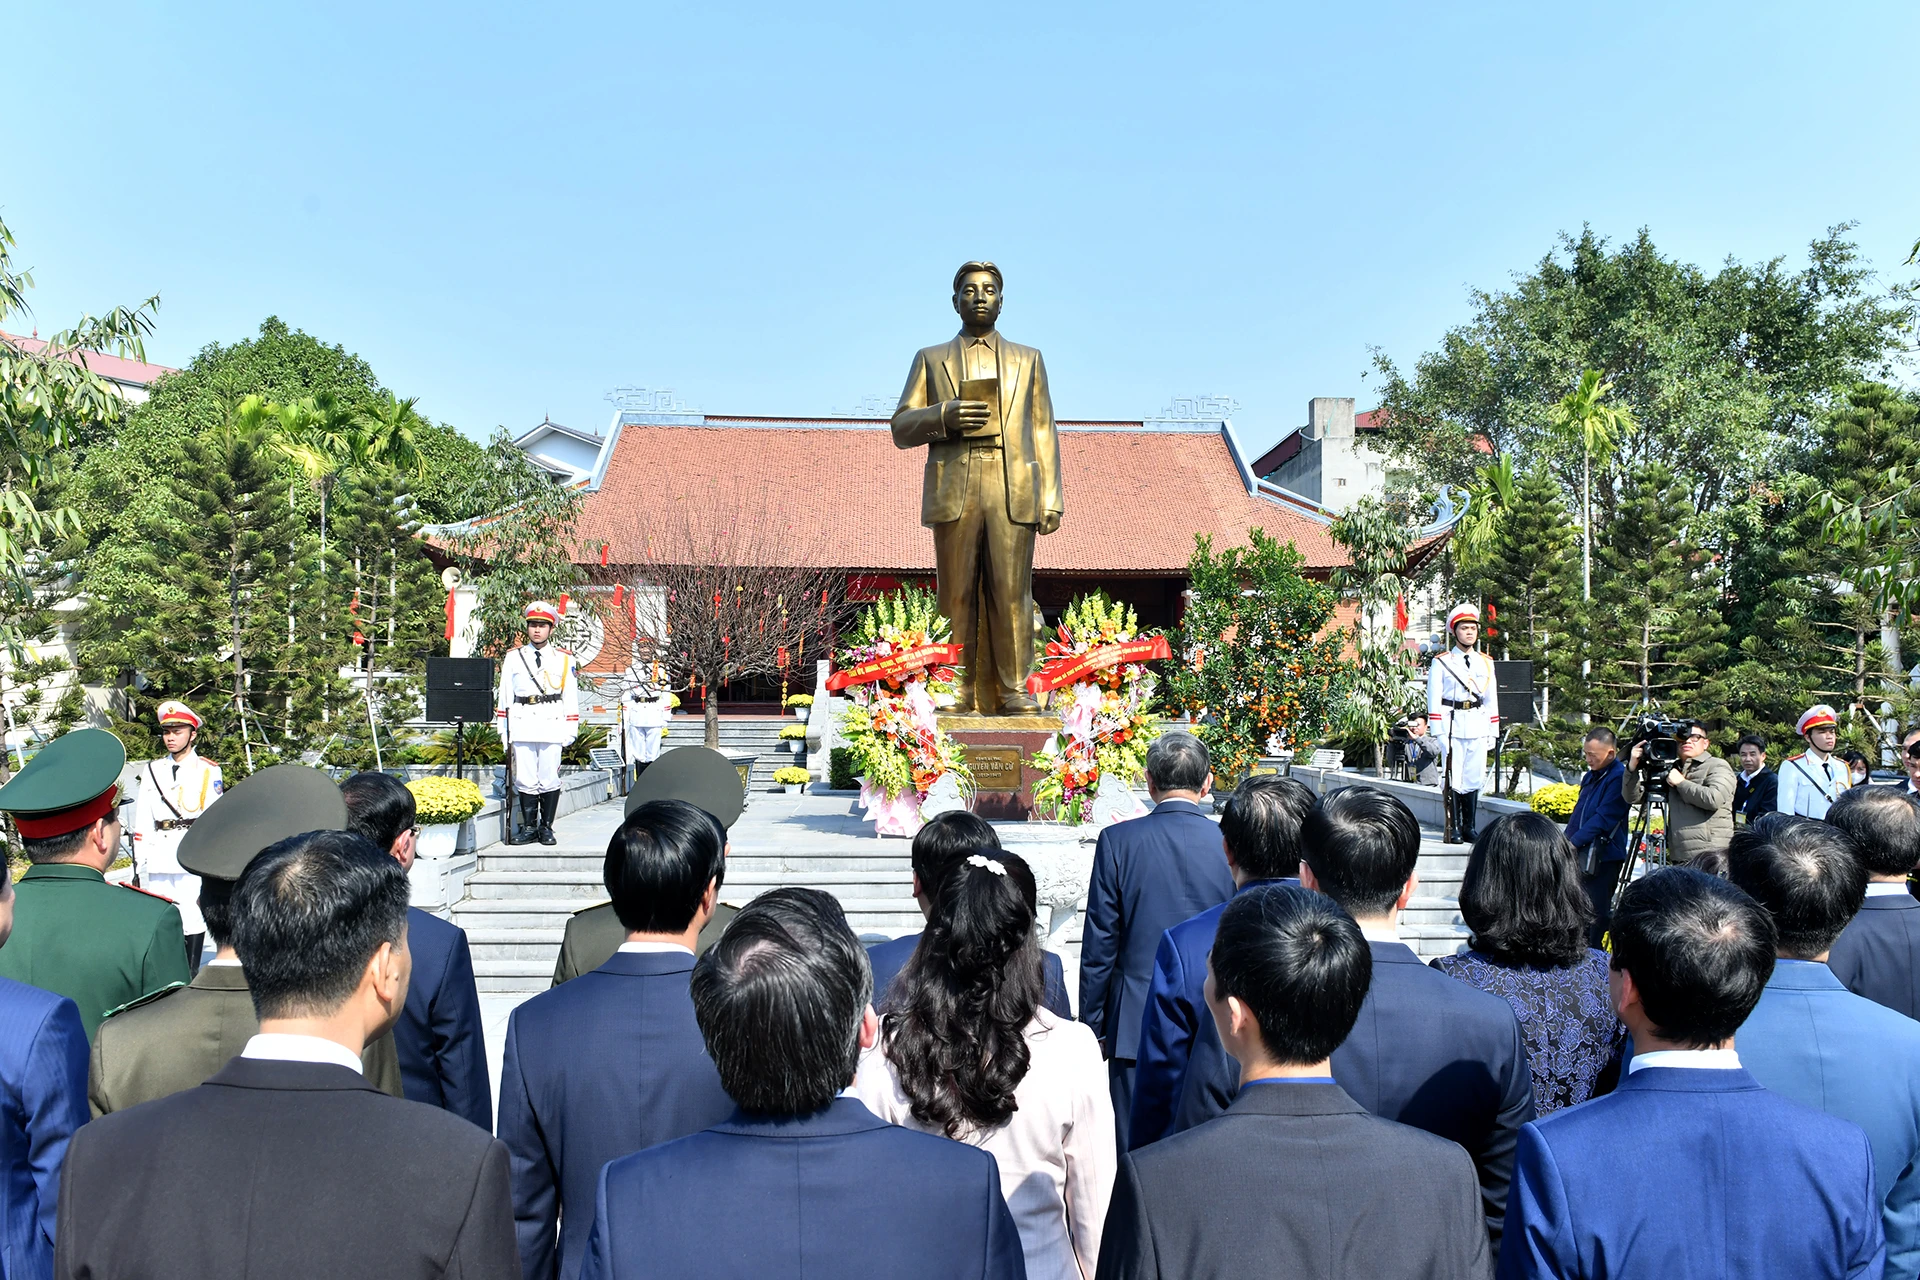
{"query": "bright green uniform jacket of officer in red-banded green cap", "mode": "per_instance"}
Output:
(99, 945)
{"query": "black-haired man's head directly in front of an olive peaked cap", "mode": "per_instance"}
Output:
(660, 865)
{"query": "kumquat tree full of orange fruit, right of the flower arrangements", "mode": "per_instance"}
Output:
(1255, 653)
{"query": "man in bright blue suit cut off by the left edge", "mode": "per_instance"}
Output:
(43, 1074)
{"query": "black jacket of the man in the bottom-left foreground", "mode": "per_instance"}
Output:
(291, 1172)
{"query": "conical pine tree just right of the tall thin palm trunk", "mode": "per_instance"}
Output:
(1658, 638)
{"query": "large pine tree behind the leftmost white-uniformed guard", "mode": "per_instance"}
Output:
(206, 619)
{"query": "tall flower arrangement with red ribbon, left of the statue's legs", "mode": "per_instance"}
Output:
(896, 673)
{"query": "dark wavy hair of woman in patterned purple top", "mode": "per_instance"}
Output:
(1524, 897)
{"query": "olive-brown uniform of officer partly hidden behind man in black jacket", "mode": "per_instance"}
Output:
(176, 1039)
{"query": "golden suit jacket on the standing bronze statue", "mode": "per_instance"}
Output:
(1028, 439)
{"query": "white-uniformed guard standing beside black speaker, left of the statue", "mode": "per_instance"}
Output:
(540, 703)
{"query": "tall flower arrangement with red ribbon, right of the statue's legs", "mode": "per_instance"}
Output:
(1097, 676)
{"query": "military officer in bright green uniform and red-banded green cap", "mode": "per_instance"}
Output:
(74, 934)
